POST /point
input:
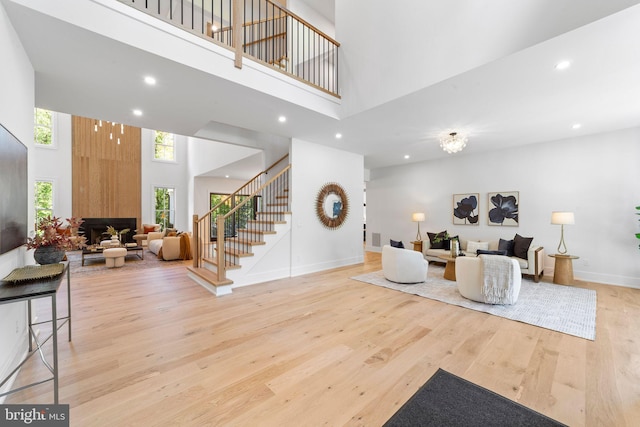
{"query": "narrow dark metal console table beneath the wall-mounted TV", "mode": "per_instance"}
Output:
(29, 290)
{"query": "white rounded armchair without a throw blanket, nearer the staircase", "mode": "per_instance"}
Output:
(403, 265)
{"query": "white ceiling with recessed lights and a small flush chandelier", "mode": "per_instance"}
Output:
(519, 99)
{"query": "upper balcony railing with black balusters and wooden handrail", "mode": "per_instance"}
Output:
(267, 33)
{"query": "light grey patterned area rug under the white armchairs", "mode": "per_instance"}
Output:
(560, 308)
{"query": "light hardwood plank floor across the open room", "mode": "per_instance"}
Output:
(151, 347)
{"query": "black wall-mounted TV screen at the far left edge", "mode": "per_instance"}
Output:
(13, 192)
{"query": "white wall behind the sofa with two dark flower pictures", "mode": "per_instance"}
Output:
(595, 176)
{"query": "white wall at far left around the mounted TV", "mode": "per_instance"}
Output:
(17, 87)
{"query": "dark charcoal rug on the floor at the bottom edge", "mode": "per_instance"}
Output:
(448, 400)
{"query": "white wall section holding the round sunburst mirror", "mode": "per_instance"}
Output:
(313, 247)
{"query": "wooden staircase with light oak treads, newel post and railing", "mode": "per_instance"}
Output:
(235, 240)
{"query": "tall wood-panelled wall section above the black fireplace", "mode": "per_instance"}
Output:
(106, 175)
